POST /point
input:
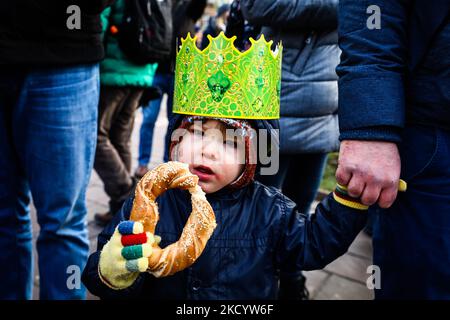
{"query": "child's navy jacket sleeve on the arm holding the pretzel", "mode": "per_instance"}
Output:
(90, 277)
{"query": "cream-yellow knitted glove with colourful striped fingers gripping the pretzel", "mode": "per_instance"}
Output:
(125, 255)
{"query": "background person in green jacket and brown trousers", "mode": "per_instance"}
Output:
(122, 85)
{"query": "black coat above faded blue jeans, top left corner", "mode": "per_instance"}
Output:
(34, 32)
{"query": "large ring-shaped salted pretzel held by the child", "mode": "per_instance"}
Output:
(199, 226)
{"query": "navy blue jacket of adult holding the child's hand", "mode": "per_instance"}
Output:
(397, 75)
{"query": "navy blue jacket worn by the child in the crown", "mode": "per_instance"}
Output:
(258, 232)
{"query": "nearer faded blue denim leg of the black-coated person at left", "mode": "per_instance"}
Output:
(56, 122)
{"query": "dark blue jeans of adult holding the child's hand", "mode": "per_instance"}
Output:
(411, 239)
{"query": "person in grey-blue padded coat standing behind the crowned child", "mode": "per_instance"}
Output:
(309, 97)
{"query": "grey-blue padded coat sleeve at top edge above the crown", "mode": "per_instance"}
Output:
(292, 14)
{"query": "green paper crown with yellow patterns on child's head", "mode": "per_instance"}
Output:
(220, 81)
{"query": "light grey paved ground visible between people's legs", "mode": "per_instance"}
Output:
(345, 278)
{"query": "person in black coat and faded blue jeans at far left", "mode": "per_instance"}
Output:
(49, 90)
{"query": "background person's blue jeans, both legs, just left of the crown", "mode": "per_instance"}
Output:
(165, 82)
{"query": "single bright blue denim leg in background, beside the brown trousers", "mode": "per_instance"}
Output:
(150, 114)
